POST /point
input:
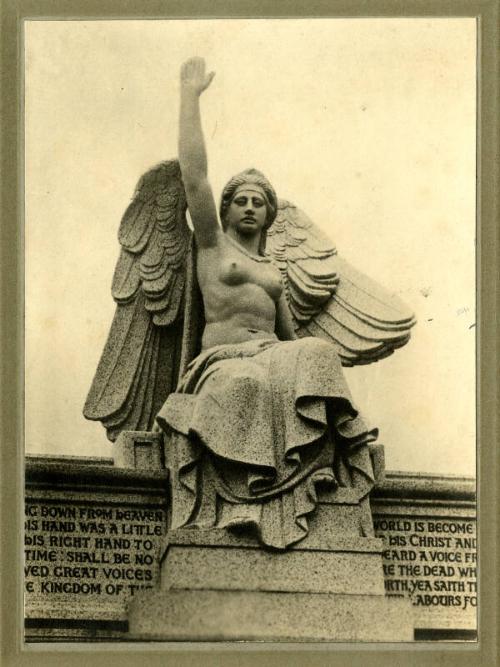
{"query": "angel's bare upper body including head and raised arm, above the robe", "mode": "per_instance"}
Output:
(242, 292)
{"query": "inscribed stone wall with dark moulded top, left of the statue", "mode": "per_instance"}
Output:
(93, 537)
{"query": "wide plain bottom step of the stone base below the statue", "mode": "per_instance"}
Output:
(270, 616)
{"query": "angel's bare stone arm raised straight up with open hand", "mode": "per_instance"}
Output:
(192, 154)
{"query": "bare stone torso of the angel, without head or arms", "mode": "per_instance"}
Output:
(240, 294)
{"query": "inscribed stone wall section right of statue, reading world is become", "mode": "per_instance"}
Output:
(428, 524)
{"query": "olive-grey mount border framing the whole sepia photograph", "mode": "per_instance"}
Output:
(14, 651)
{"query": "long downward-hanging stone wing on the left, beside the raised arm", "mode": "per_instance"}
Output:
(140, 363)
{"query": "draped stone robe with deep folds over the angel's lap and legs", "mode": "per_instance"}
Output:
(253, 428)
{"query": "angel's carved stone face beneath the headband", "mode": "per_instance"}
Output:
(247, 212)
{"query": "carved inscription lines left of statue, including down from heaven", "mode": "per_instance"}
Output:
(96, 551)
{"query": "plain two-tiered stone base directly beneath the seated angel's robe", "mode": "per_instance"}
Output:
(216, 585)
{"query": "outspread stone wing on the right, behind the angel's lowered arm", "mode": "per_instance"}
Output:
(331, 299)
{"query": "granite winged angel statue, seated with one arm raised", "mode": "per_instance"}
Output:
(231, 340)
